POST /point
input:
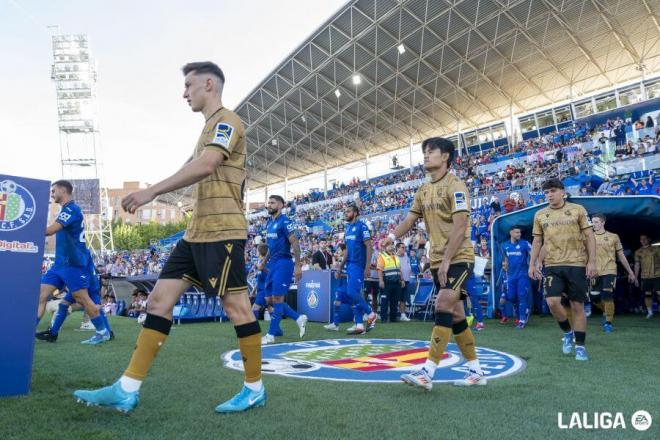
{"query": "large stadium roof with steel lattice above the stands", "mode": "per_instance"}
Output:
(381, 73)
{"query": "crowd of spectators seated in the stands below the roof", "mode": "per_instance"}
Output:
(384, 200)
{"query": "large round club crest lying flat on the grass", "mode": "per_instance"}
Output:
(370, 360)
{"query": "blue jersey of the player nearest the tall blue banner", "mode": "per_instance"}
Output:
(70, 247)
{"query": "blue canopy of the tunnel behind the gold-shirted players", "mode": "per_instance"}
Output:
(627, 216)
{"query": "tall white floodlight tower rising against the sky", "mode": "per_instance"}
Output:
(74, 74)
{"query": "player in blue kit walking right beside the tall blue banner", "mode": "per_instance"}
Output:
(72, 261)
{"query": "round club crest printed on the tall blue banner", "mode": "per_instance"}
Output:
(17, 206)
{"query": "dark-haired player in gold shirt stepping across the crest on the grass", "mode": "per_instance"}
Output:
(444, 205)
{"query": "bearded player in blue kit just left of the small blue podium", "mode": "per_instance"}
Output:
(282, 240)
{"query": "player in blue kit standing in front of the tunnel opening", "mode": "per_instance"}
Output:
(516, 263)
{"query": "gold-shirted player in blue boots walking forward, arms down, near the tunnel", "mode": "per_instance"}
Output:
(563, 229)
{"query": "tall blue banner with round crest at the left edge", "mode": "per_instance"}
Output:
(23, 216)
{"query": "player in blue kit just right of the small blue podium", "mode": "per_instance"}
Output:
(357, 262)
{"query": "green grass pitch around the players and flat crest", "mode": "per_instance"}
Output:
(188, 380)
